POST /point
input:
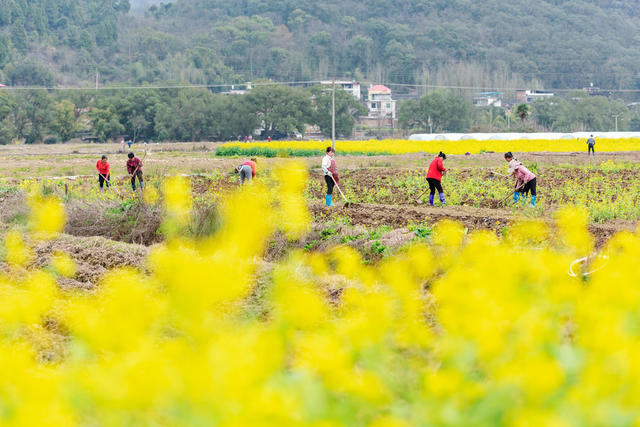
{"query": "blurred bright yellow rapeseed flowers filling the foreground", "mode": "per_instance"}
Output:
(468, 331)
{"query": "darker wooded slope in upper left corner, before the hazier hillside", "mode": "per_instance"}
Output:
(56, 41)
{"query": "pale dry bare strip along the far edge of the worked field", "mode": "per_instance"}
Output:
(79, 159)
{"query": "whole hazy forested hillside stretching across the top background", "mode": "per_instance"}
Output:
(503, 43)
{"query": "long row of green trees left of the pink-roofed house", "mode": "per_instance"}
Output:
(35, 116)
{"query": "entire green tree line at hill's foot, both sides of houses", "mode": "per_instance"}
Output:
(150, 114)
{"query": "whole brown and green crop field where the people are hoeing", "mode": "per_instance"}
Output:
(103, 233)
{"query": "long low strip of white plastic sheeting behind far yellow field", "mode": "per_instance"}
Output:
(519, 136)
